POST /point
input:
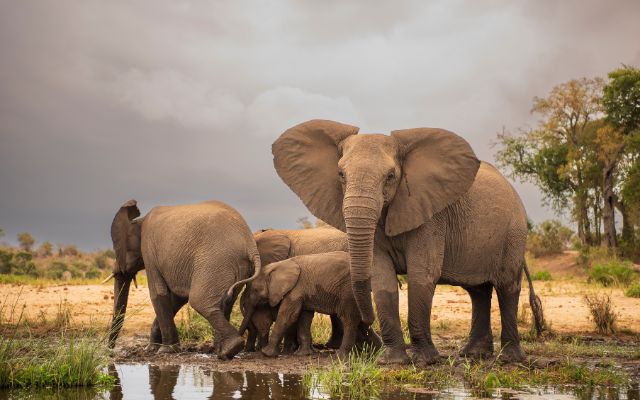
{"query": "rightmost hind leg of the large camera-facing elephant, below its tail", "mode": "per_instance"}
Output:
(508, 298)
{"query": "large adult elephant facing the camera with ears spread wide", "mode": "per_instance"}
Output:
(420, 203)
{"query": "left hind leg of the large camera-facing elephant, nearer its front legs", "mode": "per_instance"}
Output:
(480, 344)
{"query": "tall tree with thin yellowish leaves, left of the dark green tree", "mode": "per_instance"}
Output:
(558, 155)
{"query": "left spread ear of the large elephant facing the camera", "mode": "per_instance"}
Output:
(306, 158)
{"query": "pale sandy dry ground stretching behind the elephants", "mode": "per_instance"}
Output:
(562, 299)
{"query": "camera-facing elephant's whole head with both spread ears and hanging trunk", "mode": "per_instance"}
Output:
(359, 182)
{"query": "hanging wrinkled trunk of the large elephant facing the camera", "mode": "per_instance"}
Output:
(361, 217)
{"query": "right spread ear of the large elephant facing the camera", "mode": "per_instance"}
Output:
(438, 167)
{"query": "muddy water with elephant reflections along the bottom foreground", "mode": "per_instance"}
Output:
(148, 381)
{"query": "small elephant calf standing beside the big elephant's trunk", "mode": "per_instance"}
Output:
(302, 285)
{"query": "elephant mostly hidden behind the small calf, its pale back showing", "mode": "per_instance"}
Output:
(277, 245)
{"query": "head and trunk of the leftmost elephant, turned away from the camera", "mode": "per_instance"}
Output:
(125, 234)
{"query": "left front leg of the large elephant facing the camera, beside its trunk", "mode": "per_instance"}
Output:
(384, 285)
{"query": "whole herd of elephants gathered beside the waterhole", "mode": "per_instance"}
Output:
(417, 202)
